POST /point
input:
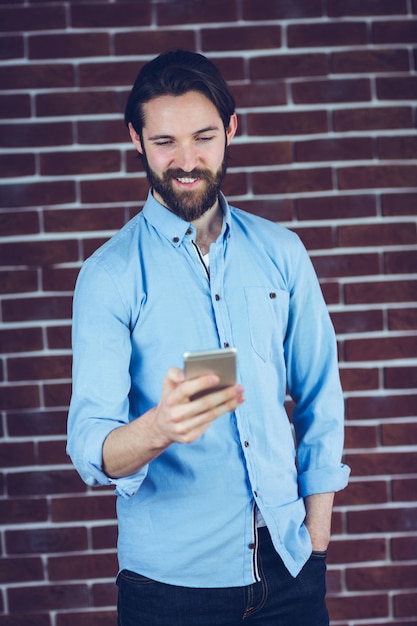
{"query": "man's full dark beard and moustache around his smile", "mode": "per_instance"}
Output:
(188, 205)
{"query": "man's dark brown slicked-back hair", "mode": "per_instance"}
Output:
(175, 73)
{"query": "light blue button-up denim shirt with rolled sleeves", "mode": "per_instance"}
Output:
(142, 300)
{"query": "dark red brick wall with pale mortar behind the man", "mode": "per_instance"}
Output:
(327, 145)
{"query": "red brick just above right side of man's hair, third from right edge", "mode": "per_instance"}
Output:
(241, 38)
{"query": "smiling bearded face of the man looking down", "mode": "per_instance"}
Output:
(184, 149)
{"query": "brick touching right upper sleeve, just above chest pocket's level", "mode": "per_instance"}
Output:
(337, 265)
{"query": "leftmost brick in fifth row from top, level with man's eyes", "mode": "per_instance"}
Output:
(29, 135)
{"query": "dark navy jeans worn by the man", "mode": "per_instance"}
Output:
(278, 600)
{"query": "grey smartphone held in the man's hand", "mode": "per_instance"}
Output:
(221, 362)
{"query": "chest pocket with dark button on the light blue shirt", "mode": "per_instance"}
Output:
(268, 318)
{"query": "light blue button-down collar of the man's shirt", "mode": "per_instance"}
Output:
(173, 227)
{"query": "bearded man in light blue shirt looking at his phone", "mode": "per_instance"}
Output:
(222, 518)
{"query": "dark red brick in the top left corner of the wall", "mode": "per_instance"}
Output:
(32, 18)
